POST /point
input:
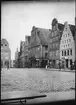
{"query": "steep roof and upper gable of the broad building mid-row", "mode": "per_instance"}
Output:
(41, 37)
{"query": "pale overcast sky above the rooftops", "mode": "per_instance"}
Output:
(18, 18)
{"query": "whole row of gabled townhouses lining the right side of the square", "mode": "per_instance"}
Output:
(53, 46)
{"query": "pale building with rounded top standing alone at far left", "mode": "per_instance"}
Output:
(5, 54)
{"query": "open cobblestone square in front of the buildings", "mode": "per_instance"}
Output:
(36, 79)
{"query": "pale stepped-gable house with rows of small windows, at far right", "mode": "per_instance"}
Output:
(67, 45)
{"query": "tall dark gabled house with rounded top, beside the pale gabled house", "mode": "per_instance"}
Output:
(54, 43)
